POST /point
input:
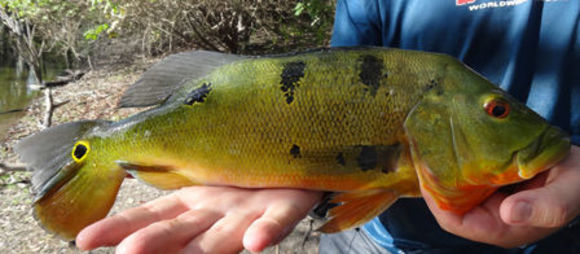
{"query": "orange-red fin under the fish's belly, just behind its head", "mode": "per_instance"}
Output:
(357, 208)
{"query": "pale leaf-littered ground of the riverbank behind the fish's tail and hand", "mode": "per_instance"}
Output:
(95, 96)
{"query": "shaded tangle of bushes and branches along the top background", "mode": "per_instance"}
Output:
(91, 33)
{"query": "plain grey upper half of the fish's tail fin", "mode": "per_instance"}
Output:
(48, 151)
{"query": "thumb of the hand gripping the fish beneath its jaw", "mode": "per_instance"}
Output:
(552, 205)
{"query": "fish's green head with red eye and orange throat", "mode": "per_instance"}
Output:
(468, 138)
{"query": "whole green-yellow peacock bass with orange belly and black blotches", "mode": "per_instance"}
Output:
(370, 124)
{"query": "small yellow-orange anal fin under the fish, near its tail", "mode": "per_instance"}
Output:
(158, 176)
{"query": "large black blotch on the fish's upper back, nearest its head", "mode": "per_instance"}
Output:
(371, 72)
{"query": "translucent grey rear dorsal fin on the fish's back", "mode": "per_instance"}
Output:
(166, 76)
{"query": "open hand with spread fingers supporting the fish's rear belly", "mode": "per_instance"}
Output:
(203, 219)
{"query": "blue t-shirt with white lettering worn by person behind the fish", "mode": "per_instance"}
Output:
(530, 48)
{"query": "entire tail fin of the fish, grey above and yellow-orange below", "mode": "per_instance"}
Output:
(73, 187)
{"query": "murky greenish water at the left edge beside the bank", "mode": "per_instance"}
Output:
(15, 94)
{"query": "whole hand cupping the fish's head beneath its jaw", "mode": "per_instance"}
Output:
(538, 208)
